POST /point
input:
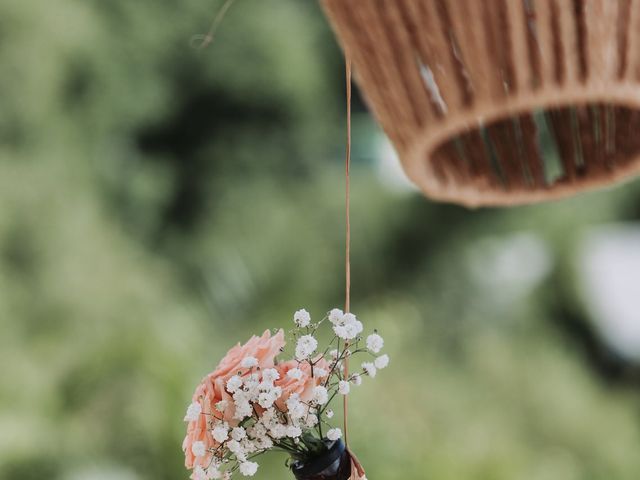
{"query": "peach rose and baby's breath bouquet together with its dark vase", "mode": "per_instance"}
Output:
(255, 402)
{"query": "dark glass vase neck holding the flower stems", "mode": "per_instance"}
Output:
(333, 464)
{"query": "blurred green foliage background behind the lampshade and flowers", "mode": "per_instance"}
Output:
(159, 203)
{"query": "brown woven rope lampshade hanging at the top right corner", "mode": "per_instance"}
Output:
(501, 102)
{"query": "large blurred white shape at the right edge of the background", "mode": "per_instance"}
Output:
(609, 263)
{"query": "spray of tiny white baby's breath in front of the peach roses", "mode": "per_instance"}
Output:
(264, 412)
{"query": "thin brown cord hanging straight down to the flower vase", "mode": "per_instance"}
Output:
(347, 300)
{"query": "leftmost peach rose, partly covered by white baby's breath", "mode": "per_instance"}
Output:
(212, 390)
